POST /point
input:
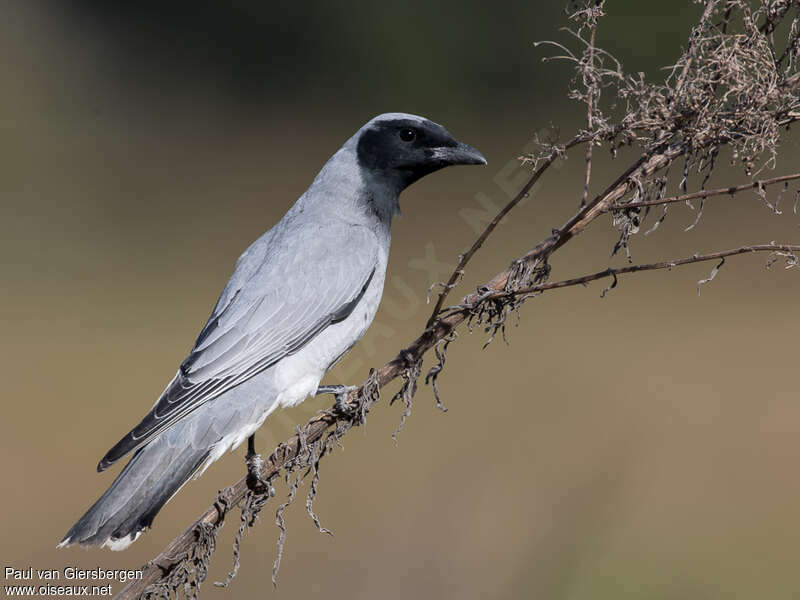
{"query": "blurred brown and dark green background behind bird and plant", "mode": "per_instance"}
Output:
(642, 445)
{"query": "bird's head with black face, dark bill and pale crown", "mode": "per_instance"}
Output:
(403, 148)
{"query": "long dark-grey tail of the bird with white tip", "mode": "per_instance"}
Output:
(154, 474)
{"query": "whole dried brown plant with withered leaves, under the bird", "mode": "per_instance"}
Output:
(732, 95)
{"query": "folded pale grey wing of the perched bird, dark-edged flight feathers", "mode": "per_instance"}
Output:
(314, 279)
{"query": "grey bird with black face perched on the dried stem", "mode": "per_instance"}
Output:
(299, 299)
